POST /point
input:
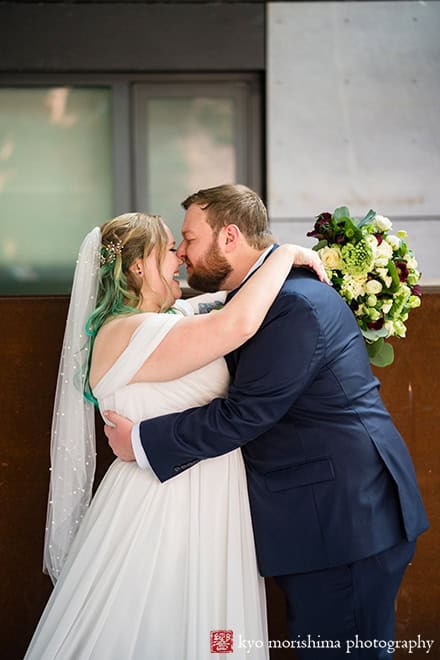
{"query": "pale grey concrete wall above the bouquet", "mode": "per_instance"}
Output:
(353, 116)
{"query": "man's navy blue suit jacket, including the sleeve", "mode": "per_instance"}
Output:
(330, 479)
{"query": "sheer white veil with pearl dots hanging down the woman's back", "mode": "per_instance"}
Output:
(73, 452)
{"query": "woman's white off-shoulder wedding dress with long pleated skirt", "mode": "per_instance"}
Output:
(155, 567)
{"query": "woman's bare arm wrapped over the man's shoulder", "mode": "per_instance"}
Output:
(195, 341)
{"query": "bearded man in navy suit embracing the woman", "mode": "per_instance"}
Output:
(335, 504)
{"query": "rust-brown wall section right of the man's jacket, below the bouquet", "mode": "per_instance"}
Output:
(411, 391)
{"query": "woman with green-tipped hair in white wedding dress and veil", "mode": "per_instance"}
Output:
(149, 570)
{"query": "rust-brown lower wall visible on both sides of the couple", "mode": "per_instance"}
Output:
(30, 340)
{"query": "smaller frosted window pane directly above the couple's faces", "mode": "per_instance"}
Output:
(190, 144)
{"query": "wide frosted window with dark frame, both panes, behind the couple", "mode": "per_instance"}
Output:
(74, 155)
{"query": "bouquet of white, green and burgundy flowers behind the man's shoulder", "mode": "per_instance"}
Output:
(374, 271)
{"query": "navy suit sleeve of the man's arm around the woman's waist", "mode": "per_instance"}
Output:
(273, 369)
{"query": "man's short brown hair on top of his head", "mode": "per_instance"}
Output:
(238, 205)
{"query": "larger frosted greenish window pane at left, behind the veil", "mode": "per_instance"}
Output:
(55, 182)
